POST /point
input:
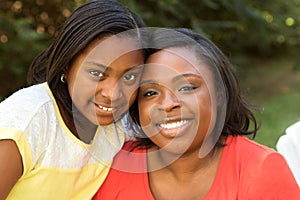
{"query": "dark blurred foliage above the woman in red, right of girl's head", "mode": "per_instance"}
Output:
(238, 26)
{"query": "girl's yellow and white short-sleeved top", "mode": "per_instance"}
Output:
(56, 164)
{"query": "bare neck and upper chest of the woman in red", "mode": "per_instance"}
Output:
(178, 178)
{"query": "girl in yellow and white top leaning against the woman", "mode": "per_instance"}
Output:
(58, 136)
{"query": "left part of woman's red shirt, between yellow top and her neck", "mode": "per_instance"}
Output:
(128, 175)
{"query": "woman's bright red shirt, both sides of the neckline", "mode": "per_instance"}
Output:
(247, 170)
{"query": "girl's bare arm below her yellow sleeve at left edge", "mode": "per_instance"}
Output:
(13, 168)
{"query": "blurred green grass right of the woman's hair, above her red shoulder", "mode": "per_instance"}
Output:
(273, 85)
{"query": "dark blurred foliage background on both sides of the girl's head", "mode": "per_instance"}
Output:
(242, 28)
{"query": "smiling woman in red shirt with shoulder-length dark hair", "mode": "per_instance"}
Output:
(195, 125)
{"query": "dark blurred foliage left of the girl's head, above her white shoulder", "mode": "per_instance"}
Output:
(26, 26)
